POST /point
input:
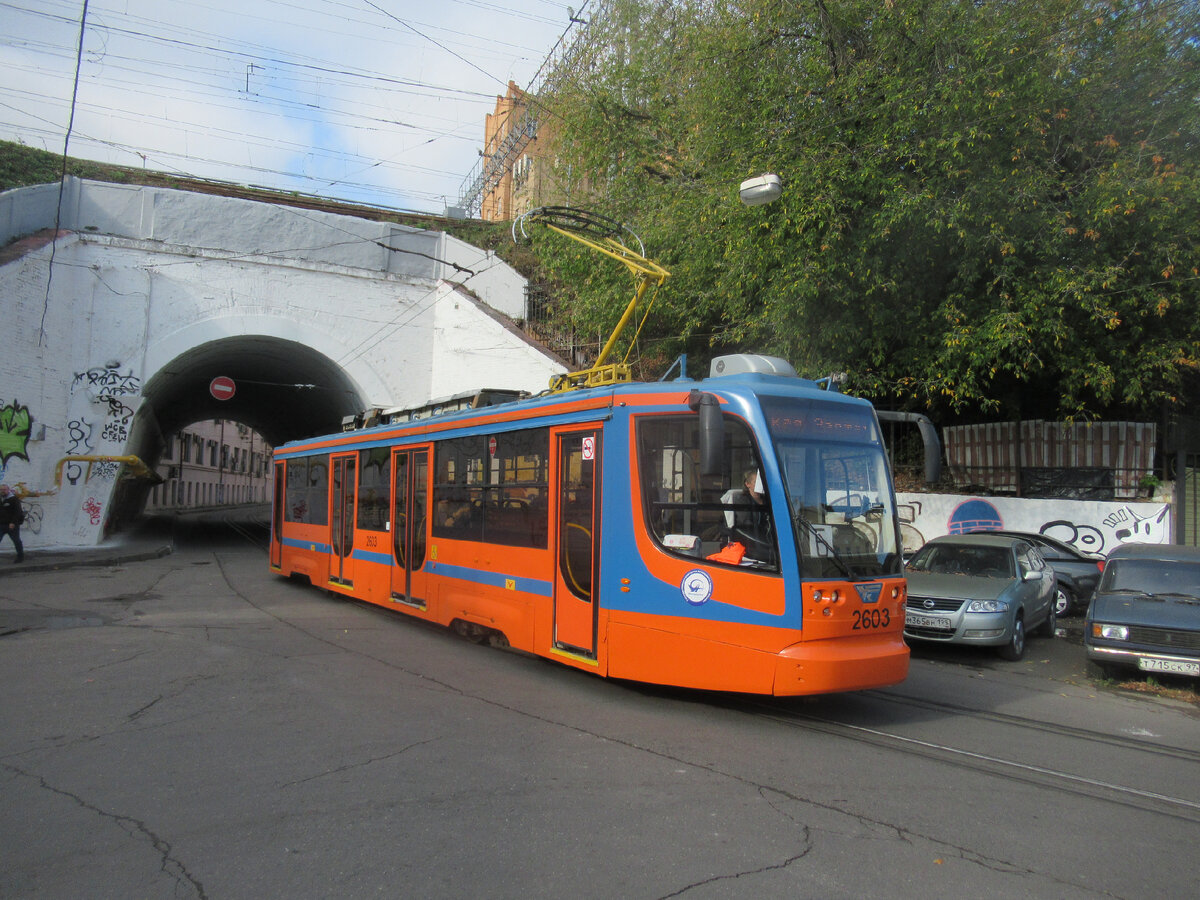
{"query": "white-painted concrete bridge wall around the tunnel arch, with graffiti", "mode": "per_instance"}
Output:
(148, 274)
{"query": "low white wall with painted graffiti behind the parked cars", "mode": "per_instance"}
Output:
(1090, 526)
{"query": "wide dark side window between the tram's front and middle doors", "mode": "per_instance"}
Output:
(494, 489)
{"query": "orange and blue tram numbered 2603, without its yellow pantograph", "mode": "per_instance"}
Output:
(735, 533)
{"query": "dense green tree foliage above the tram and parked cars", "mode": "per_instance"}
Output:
(989, 208)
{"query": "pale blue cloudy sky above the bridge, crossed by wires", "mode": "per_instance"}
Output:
(373, 101)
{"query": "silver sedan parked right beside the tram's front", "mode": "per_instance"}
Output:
(980, 590)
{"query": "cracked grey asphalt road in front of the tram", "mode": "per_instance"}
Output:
(193, 727)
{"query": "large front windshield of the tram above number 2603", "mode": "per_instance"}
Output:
(839, 494)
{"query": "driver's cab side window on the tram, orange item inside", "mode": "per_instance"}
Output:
(698, 515)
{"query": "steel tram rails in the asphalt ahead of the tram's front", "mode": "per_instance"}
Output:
(995, 765)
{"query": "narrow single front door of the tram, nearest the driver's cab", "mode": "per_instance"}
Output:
(577, 539)
